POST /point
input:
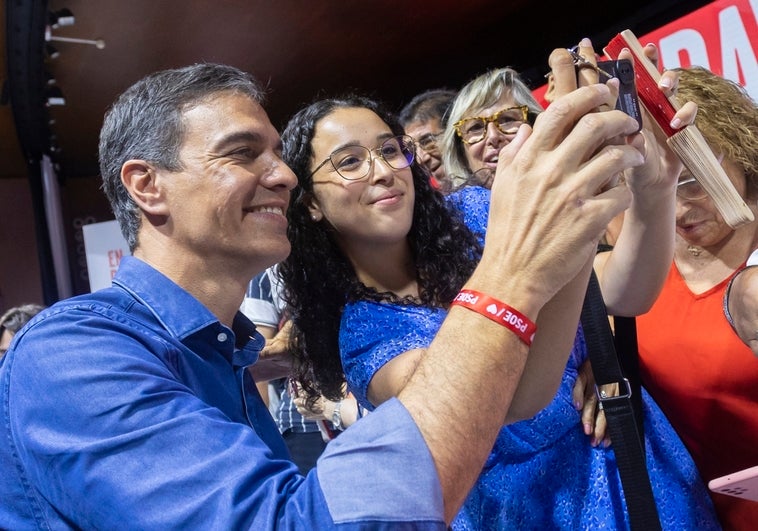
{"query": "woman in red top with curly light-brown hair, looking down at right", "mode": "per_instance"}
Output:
(700, 373)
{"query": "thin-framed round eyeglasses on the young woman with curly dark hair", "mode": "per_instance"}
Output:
(354, 162)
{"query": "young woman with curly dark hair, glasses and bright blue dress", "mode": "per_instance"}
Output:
(378, 256)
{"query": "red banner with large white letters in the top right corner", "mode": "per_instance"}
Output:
(721, 36)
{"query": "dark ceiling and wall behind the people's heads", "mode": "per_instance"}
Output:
(298, 49)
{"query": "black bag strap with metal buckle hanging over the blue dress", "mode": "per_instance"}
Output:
(623, 428)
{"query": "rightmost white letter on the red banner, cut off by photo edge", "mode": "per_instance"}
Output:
(737, 55)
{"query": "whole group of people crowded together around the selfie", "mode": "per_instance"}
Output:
(356, 269)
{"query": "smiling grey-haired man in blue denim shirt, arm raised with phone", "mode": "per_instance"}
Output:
(131, 407)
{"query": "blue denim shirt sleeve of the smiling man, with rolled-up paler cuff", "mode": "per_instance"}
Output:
(101, 430)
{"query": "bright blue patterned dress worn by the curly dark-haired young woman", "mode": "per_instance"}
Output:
(542, 472)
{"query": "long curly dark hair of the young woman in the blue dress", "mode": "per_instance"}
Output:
(319, 279)
